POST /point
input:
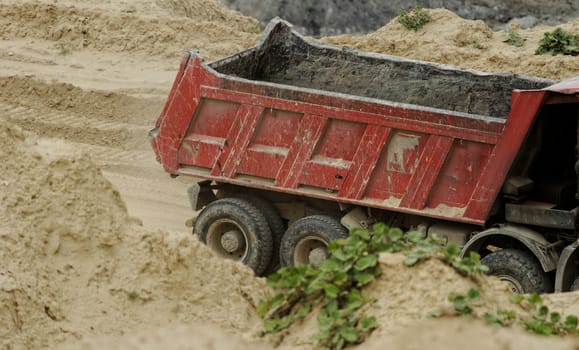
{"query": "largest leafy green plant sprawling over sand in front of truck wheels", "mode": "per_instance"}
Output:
(337, 285)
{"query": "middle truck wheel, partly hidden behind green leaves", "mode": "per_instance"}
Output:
(306, 241)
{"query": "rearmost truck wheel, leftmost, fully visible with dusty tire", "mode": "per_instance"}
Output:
(235, 229)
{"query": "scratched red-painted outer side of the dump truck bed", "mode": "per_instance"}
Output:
(389, 156)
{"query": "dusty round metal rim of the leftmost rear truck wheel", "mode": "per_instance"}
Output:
(227, 239)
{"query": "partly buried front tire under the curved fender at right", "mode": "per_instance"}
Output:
(519, 269)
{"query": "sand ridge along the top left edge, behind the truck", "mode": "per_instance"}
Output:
(206, 25)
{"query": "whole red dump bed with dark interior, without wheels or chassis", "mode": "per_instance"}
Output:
(337, 124)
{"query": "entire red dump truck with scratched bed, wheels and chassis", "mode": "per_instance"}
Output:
(296, 142)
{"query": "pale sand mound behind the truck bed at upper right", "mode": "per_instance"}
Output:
(452, 40)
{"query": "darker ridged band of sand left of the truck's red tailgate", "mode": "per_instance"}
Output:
(66, 112)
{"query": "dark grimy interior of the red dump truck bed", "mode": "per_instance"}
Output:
(286, 58)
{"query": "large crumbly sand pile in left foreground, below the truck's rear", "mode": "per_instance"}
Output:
(75, 265)
